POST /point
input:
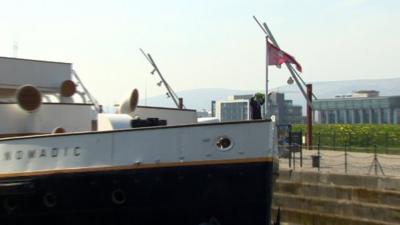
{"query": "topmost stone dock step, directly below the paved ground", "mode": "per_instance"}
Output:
(364, 181)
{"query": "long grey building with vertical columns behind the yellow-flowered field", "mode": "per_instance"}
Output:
(362, 107)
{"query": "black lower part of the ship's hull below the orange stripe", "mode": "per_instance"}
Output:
(232, 194)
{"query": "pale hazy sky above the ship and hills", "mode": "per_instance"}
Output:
(203, 43)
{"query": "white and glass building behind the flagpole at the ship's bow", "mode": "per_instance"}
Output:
(237, 107)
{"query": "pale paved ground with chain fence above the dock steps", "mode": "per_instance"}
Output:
(357, 163)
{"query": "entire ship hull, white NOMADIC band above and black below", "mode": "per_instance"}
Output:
(189, 175)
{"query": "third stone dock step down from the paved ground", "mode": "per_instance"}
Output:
(334, 207)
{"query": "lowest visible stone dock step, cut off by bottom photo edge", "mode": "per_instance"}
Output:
(305, 217)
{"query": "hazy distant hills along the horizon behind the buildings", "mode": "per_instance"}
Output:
(200, 99)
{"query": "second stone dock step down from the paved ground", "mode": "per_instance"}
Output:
(350, 193)
